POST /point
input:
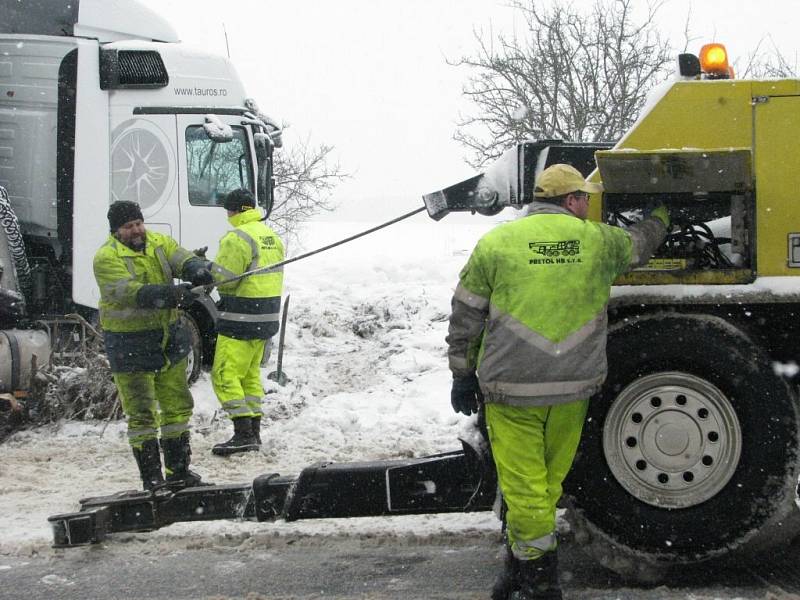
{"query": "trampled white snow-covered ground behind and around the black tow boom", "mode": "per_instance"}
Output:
(365, 352)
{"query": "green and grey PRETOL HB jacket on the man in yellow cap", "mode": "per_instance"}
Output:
(530, 307)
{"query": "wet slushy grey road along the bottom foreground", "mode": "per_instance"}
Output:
(262, 566)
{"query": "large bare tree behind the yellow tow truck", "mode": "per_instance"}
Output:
(570, 75)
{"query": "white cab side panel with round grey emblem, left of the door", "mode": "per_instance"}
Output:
(144, 168)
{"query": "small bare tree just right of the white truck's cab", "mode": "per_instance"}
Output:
(305, 178)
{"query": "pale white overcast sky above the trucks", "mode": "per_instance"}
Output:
(370, 76)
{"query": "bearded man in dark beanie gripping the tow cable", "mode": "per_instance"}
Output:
(146, 344)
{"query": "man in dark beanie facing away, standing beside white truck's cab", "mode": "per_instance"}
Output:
(249, 313)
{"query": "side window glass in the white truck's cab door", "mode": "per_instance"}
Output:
(214, 169)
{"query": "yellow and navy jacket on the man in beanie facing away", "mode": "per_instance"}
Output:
(250, 307)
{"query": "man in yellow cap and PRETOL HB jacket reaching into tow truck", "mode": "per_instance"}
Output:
(527, 339)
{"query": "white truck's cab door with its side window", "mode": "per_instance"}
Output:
(210, 169)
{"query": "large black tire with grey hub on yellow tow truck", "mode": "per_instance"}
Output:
(689, 451)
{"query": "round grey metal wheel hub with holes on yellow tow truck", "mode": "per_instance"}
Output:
(672, 439)
